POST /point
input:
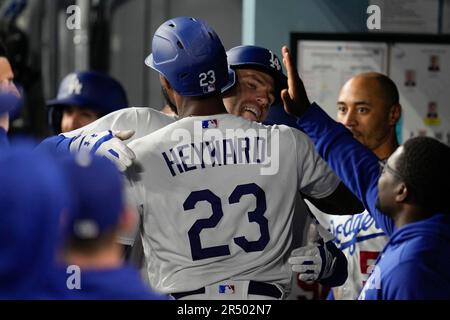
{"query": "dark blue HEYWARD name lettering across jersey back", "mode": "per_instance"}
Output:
(213, 148)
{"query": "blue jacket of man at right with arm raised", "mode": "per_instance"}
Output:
(415, 263)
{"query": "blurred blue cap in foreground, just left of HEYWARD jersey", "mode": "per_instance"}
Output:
(97, 190)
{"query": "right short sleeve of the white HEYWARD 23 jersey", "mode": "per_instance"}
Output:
(315, 178)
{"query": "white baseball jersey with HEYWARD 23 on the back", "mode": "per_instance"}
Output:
(209, 214)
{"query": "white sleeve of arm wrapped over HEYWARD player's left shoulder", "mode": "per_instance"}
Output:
(142, 120)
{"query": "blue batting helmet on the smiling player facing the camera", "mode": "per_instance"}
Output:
(254, 57)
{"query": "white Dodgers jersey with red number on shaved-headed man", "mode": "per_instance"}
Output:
(361, 241)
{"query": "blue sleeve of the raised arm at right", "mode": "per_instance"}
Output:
(354, 164)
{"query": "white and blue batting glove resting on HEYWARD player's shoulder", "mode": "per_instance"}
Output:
(109, 144)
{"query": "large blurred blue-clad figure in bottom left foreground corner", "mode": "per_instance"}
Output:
(33, 197)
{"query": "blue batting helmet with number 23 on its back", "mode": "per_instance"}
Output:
(190, 55)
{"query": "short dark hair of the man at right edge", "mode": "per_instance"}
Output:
(424, 165)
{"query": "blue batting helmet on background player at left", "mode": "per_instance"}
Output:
(88, 89)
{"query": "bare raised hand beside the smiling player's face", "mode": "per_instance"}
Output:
(295, 98)
